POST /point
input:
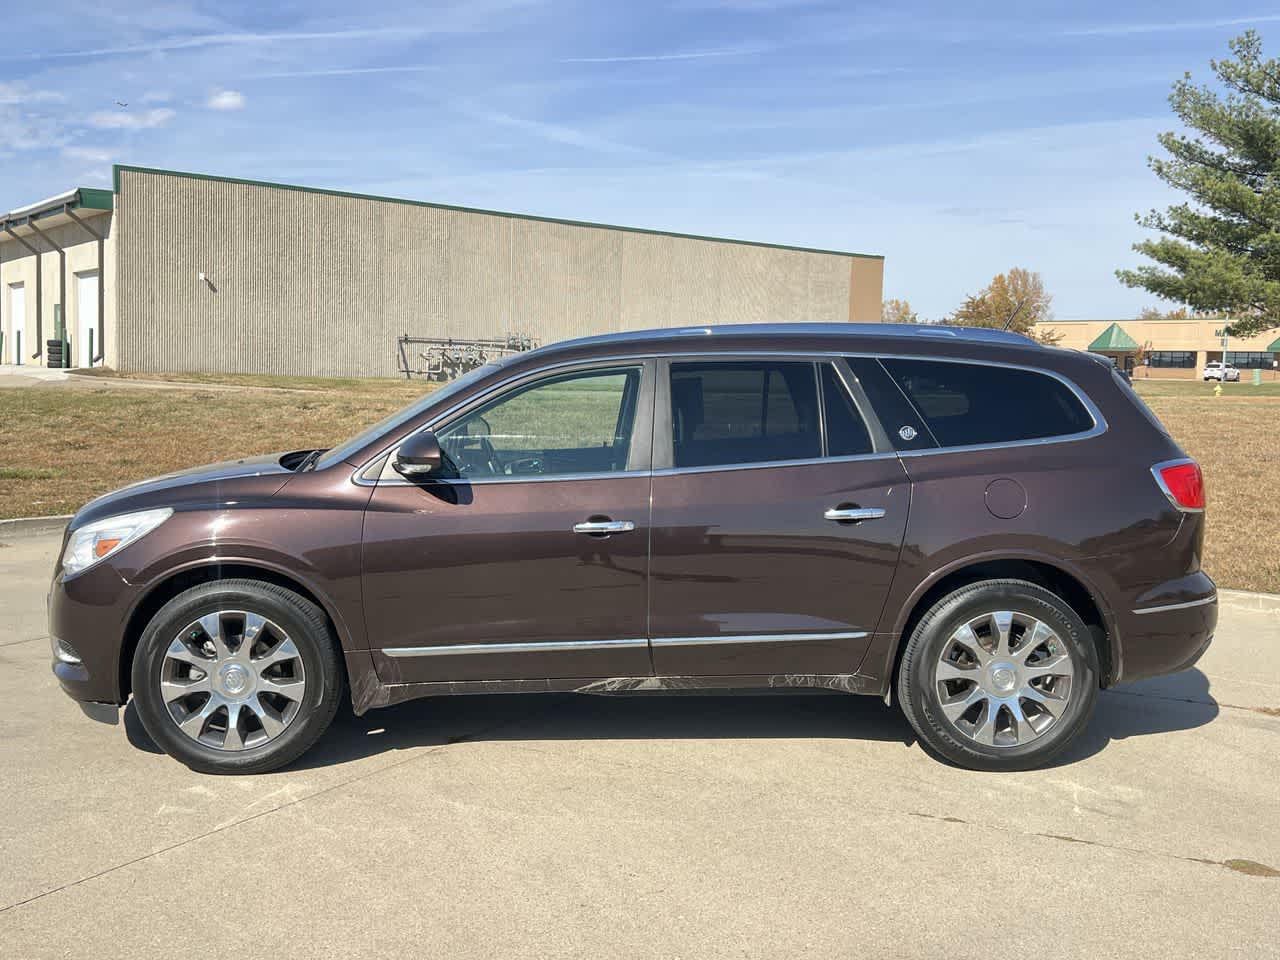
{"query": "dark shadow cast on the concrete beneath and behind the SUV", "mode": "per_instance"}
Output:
(1164, 706)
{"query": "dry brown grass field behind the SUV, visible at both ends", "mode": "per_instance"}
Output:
(63, 445)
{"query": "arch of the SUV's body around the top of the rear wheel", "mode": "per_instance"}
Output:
(1071, 586)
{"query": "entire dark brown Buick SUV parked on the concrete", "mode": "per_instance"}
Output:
(990, 528)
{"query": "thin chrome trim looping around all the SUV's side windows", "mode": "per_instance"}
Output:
(1100, 424)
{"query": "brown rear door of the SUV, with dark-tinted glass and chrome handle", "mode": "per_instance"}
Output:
(779, 513)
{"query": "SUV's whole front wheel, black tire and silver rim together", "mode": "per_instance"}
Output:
(281, 697)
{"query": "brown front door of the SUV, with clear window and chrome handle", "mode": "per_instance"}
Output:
(532, 563)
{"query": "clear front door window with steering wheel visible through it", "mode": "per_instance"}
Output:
(579, 423)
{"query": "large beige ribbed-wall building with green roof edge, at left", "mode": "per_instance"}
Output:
(227, 276)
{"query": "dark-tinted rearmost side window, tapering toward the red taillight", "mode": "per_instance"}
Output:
(972, 404)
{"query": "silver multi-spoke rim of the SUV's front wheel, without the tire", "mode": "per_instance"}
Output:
(232, 680)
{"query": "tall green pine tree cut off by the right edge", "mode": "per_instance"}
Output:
(1222, 248)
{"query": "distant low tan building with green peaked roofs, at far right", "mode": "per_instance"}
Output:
(1167, 348)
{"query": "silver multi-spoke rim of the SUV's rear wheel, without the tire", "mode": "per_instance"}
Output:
(1004, 679)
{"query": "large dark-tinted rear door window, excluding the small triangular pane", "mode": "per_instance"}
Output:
(744, 413)
